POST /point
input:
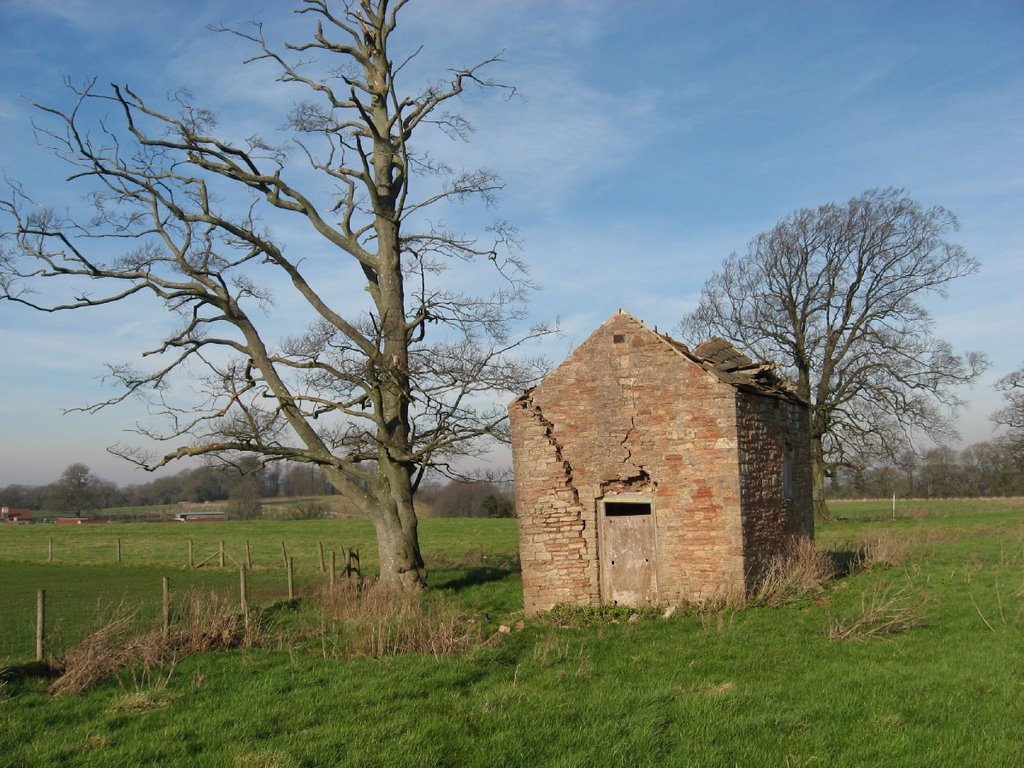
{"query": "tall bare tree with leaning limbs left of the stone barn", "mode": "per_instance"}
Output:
(373, 396)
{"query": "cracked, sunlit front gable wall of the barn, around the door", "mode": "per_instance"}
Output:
(628, 413)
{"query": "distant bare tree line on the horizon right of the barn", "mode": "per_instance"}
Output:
(993, 468)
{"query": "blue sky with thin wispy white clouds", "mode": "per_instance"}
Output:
(651, 141)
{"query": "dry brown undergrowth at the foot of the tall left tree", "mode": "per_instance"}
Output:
(378, 620)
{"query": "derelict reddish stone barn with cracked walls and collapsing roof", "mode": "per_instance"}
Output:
(647, 474)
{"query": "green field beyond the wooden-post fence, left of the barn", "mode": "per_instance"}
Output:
(78, 567)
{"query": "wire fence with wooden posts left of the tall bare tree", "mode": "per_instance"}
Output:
(49, 608)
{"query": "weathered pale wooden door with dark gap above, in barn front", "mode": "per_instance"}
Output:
(628, 554)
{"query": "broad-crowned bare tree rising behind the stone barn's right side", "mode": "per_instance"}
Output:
(835, 294)
